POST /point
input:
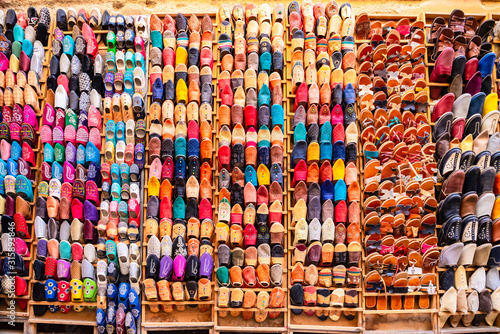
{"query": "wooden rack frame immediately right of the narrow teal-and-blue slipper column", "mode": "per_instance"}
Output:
(189, 317)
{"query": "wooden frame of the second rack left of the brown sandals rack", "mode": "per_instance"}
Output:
(224, 321)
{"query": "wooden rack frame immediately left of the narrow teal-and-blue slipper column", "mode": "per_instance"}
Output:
(72, 319)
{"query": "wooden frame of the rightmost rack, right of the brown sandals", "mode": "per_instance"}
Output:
(442, 318)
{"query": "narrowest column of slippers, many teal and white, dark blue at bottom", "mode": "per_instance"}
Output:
(124, 91)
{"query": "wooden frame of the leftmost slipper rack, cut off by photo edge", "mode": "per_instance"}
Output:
(22, 314)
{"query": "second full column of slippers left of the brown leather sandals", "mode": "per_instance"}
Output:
(250, 229)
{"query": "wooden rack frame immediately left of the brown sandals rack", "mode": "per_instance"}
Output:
(304, 323)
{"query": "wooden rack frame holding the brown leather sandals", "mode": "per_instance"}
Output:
(375, 321)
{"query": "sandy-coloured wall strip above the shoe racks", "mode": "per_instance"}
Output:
(137, 7)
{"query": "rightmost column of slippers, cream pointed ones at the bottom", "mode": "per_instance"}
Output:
(467, 146)
